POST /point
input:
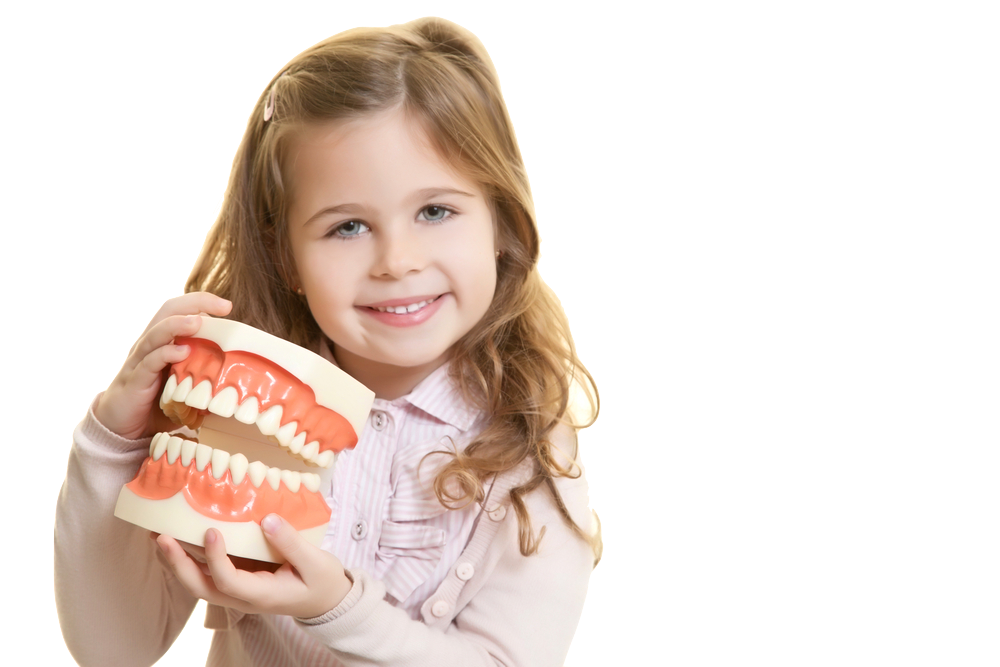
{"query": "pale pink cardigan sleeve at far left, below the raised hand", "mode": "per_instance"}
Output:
(116, 599)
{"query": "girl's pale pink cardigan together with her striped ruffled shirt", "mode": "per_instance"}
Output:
(431, 586)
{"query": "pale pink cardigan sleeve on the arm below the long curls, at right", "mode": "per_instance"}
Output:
(524, 611)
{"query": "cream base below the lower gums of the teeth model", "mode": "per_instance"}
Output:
(176, 518)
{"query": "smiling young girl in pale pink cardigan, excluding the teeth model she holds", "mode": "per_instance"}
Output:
(378, 212)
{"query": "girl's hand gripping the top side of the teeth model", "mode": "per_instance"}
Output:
(130, 404)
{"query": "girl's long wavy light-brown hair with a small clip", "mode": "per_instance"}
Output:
(519, 364)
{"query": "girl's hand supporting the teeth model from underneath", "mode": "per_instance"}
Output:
(309, 584)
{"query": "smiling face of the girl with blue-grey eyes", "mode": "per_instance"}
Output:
(379, 223)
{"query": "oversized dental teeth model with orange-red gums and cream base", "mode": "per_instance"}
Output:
(271, 417)
